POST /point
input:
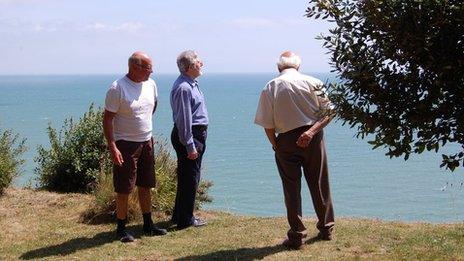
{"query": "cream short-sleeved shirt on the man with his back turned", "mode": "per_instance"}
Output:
(290, 101)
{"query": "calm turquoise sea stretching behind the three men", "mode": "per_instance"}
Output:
(239, 159)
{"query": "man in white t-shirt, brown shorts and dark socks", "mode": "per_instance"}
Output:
(129, 105)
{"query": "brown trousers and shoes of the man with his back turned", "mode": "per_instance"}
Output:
(290, 159)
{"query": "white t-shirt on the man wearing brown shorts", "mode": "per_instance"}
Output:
(133, 104)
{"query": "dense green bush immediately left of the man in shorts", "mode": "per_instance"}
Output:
(76, 156)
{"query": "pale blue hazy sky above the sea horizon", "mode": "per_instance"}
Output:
(81, 37)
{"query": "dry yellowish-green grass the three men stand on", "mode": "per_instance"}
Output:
(44, 225)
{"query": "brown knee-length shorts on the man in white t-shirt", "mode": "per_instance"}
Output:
(138, 168)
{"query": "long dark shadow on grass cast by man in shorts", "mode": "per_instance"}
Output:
(76, 244)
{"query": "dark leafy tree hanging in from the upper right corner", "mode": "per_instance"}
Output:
(401, 70)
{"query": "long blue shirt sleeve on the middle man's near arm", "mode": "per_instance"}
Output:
(183, 120)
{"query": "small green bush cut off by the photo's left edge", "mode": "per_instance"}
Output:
(11, 148)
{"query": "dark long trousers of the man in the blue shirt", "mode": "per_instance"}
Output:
(188, 175)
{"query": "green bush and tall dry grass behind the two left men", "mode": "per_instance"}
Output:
(79, 161)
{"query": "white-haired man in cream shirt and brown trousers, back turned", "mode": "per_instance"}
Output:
(295, 107)
